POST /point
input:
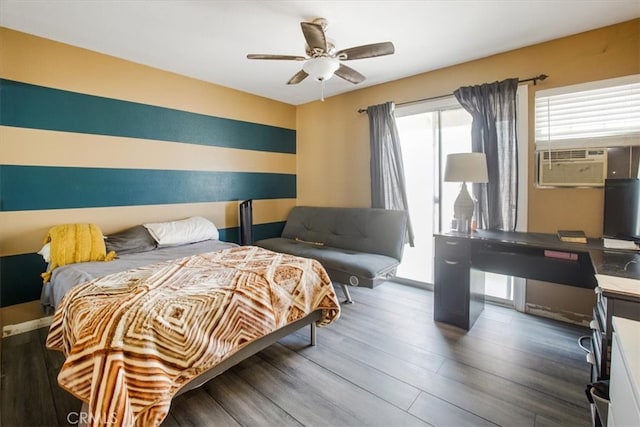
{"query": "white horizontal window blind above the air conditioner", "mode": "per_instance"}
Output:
(598, 114)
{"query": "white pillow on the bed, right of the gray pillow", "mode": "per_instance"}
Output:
(190, 230)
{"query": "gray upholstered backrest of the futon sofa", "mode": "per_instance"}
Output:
(378, 231)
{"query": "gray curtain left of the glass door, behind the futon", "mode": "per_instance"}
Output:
(388, 189)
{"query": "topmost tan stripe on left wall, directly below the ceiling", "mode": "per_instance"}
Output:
(36, 60)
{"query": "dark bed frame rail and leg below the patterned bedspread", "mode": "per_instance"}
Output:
(242, 354)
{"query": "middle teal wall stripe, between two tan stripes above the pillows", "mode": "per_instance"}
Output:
(39, 187)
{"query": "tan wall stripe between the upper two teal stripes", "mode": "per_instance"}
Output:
(36, 147)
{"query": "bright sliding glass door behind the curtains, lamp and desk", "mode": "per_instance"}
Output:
(428, 132)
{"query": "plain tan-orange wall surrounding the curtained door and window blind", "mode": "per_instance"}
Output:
(333, 139)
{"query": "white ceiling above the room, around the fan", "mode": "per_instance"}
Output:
(209, 40)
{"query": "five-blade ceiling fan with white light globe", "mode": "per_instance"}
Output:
(323, 60)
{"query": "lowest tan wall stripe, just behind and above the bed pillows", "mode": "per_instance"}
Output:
(23, 232)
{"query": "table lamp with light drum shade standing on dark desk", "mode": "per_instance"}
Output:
(465, 167)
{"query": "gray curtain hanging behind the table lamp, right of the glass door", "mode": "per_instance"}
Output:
(494, 132)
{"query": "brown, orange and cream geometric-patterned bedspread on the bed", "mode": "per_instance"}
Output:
(132, 339)
